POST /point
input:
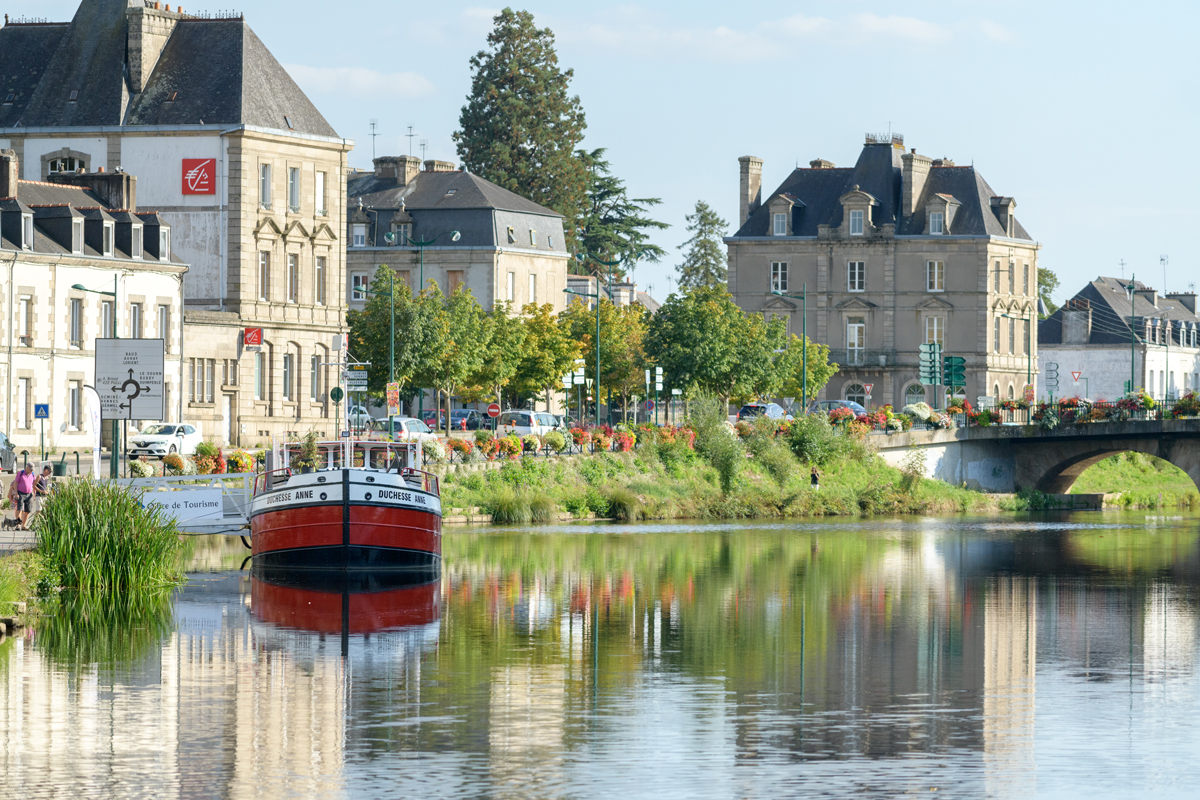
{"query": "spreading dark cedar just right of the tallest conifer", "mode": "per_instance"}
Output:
(615, 226)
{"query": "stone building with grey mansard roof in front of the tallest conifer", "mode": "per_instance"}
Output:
(509, 249)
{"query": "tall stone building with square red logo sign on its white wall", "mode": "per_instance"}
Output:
(235, 158)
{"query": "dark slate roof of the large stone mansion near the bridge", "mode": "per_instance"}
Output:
(817, 195)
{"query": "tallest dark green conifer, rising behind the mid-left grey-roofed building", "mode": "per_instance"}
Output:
(520, 128)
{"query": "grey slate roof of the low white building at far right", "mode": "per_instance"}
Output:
(1112, 312)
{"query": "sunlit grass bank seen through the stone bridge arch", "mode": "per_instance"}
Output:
(1144, 483)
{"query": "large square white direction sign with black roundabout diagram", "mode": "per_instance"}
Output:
(129, 378)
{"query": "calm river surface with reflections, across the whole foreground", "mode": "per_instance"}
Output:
(1003, 658)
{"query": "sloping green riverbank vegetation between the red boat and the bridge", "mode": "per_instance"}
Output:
(763, 471)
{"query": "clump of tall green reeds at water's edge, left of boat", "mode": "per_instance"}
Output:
(100, 538)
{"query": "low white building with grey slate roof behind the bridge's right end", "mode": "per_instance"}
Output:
(1099, 332)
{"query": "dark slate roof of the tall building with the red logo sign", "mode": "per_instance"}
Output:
(223, 73)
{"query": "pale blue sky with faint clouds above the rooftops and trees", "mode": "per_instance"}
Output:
(1077, 110)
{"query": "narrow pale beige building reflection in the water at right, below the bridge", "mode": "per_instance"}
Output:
(1010, 666)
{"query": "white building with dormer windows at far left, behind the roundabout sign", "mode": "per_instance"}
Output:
(80, 230)
